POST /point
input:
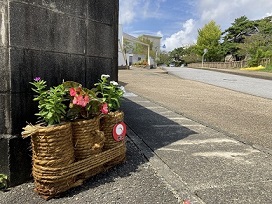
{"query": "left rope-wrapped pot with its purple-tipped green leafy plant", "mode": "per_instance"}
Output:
(51, 138)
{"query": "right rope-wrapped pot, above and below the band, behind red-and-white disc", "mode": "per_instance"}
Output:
(107, 123)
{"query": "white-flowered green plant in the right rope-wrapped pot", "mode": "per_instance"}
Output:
(109, 91)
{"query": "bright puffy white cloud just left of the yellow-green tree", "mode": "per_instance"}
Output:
(182, 37)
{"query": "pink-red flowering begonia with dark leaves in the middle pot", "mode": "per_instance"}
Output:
(83, 102)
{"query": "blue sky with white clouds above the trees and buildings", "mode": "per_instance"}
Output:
(177, 21)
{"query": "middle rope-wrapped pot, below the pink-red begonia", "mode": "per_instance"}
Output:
(87, 141)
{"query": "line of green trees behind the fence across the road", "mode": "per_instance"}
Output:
(244, 39)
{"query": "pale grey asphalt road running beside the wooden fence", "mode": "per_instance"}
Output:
(249, 85)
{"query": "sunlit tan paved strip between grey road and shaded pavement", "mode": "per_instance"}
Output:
(244, 117)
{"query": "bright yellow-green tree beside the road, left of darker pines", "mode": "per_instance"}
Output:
(208, 38)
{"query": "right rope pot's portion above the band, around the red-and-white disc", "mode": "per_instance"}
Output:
(107, 123)
